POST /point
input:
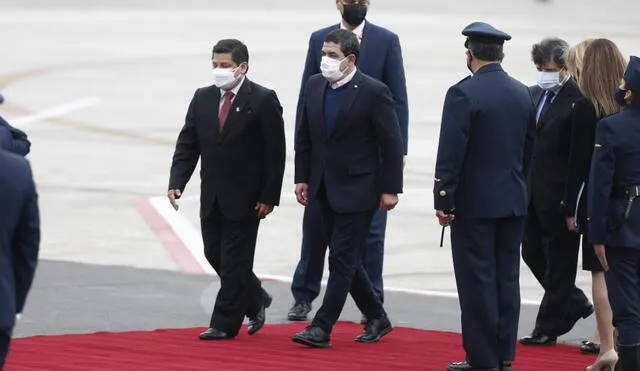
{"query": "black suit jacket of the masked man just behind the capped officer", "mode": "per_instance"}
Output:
(551, 148)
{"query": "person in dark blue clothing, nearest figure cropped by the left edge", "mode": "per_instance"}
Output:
(19, 241)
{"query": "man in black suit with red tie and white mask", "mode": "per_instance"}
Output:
(236, 128)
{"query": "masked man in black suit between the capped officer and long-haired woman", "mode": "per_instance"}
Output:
(549, 248)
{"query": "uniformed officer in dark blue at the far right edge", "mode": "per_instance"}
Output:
(614, 217)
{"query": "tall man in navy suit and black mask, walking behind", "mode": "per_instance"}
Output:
(381, 58)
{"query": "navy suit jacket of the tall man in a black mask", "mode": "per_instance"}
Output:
(380, 58)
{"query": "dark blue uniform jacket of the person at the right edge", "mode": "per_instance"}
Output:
(615, 165)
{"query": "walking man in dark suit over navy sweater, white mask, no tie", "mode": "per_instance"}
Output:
(348, 164)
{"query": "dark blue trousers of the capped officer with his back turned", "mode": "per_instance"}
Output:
(486, 261)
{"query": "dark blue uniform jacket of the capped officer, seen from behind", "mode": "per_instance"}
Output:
(486, 141)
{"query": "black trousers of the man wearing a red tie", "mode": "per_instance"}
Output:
(229, 246)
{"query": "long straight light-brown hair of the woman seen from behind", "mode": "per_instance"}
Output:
(602, 70)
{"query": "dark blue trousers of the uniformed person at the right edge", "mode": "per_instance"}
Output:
(623, 285)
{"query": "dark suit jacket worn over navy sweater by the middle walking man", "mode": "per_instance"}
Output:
(362, 157)
